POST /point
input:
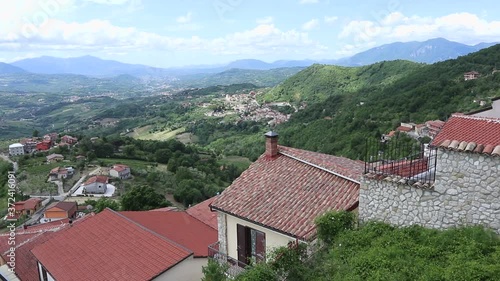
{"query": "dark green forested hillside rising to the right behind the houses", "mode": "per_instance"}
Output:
(354, 111)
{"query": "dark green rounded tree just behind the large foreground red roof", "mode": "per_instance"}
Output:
(143, 198)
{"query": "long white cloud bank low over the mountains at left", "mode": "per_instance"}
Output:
(102, 36)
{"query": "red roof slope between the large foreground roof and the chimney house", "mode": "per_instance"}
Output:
(179, 227)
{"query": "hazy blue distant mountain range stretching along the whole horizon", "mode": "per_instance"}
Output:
(430, 51)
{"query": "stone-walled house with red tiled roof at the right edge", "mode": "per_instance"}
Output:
(464, 189)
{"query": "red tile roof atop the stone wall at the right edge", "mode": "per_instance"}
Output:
(470, 134)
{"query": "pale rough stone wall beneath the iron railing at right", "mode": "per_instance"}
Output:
(466, 192)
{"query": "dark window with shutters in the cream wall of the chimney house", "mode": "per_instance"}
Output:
(251, 245)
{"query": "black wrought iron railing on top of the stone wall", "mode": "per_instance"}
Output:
(408, 163)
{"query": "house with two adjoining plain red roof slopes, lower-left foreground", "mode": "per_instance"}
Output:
(131, 246)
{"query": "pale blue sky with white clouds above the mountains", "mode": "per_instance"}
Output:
(167, 33)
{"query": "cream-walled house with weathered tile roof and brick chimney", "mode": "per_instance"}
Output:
(275, 201)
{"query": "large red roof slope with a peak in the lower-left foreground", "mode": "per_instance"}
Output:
(108, 246)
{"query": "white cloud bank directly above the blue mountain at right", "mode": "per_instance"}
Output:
(462, 27)
